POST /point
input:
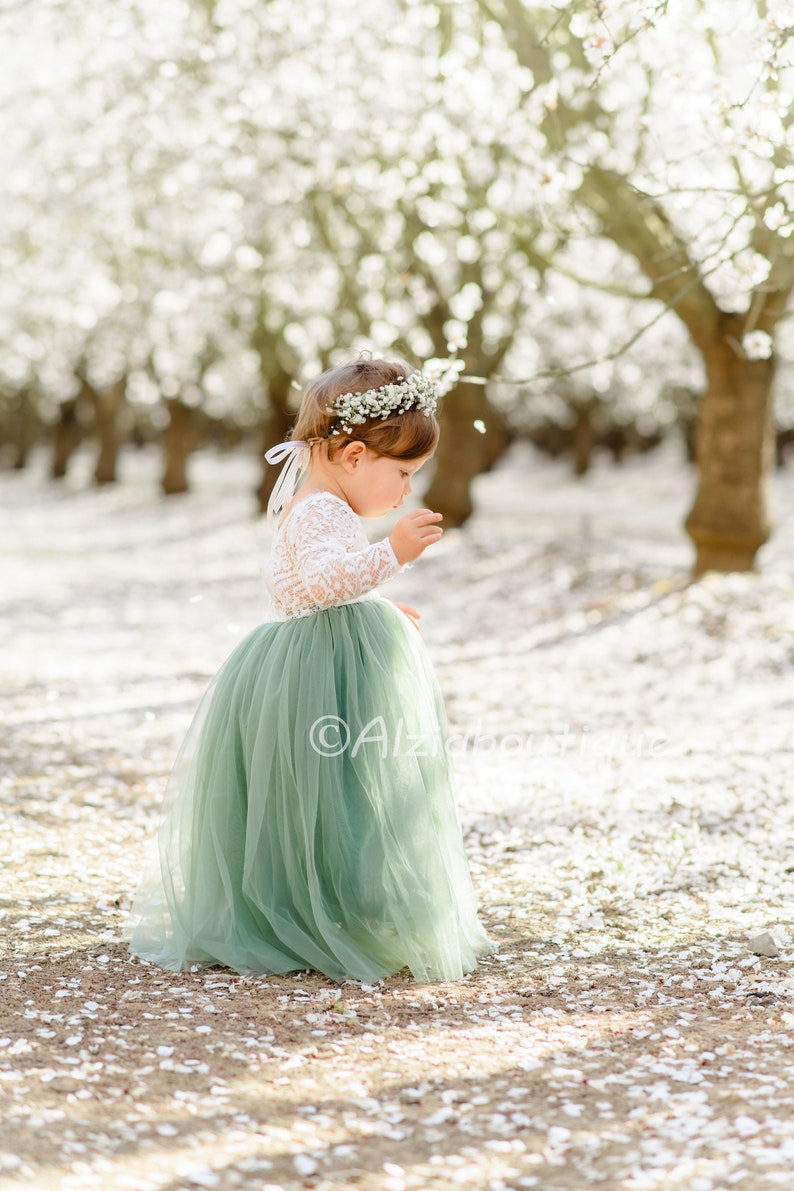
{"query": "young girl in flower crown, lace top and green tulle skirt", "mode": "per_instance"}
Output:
(310, 820)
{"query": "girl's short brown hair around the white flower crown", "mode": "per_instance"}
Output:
(409, 435)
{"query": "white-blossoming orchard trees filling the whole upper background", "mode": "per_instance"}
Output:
(205, 203)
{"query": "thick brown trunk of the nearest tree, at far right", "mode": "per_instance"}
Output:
(729, 521)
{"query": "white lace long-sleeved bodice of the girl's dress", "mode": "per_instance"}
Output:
(321, 558)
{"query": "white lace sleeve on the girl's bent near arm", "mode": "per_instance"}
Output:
(332, 556)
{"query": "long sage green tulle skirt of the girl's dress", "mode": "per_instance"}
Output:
(310, 820)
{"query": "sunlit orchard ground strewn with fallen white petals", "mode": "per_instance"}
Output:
(624, 746)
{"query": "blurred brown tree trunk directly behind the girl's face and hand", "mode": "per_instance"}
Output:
(464, 452)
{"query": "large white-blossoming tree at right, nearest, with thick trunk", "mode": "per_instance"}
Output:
(687, 166)
